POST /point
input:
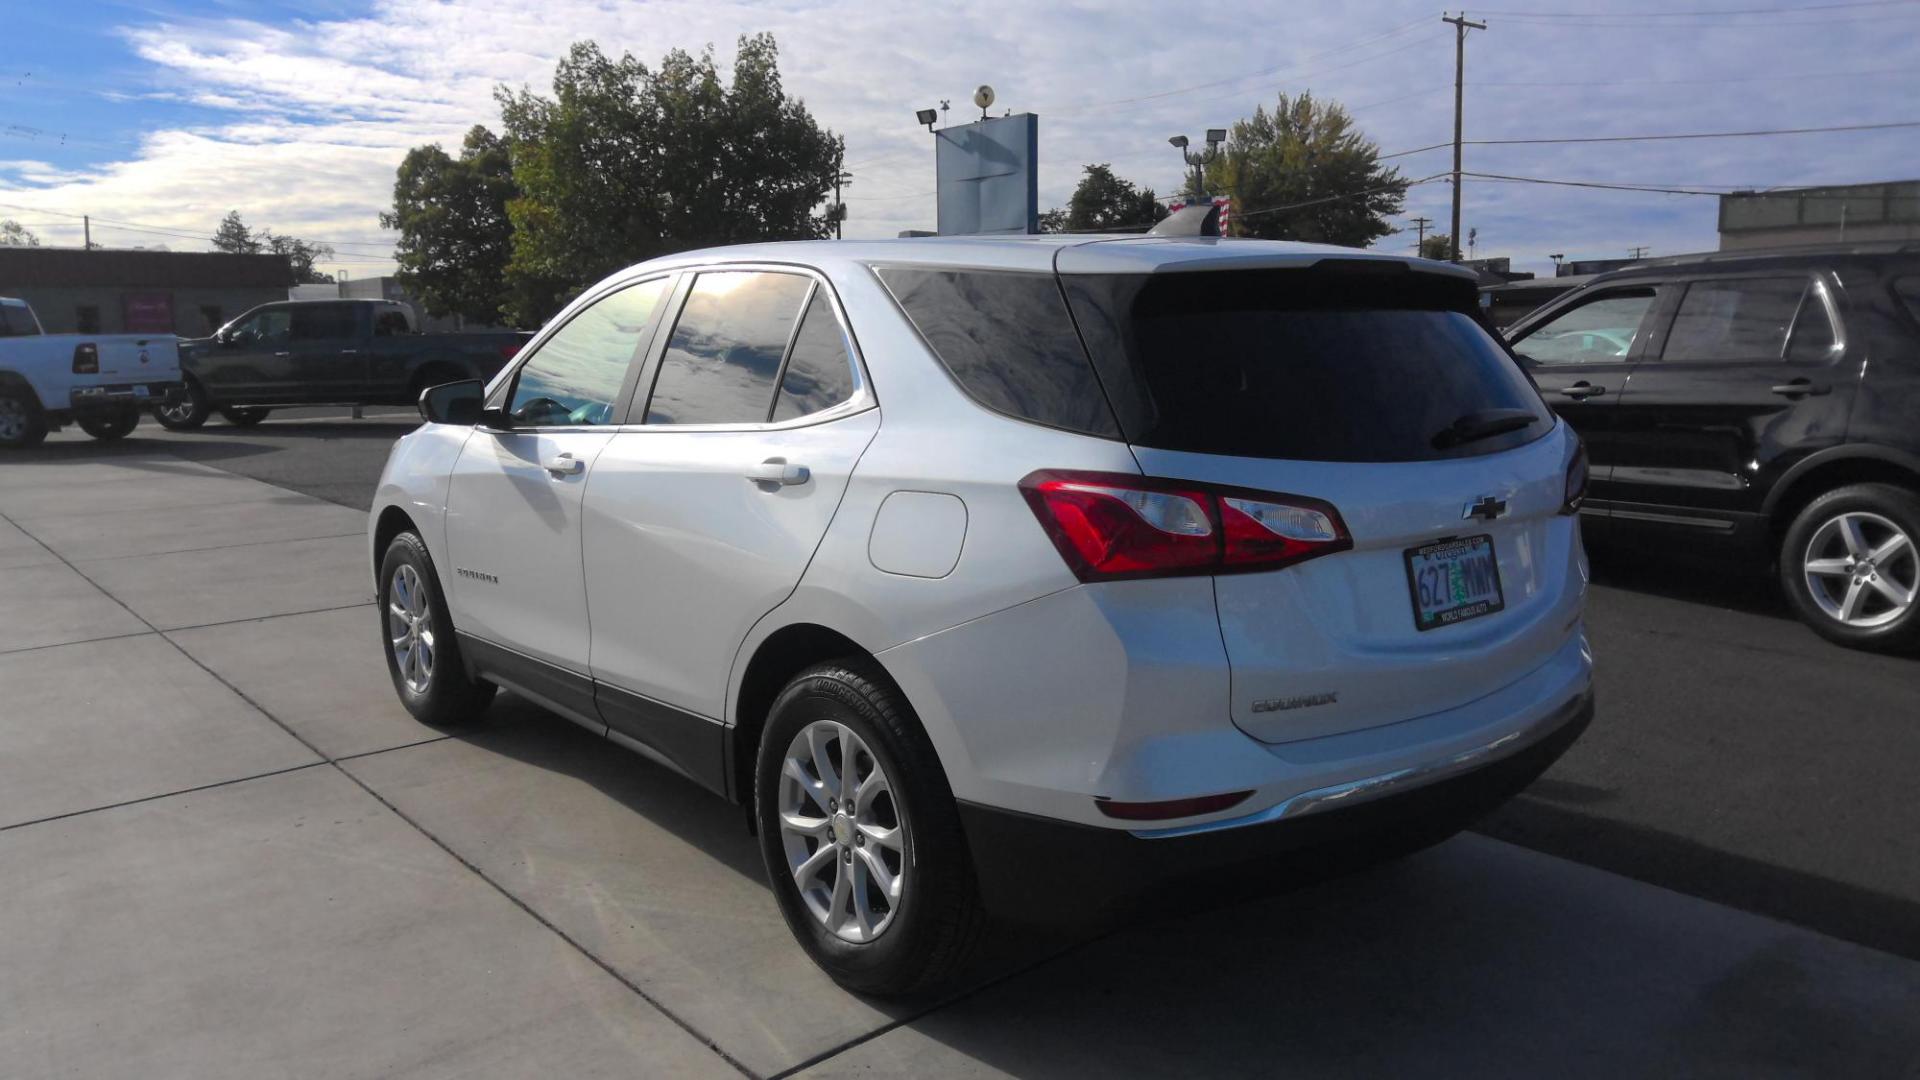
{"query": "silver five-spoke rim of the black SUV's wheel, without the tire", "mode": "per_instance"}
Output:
(1861, 570)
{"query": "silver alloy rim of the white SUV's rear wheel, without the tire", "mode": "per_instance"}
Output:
(844, 831)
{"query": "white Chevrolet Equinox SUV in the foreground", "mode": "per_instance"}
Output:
(1011, 574)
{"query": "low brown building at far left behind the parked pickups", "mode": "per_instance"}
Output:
(132, 293)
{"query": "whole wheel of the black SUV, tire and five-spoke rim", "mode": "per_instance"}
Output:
(1852, 568)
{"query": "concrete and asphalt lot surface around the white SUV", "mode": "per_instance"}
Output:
(228, 852)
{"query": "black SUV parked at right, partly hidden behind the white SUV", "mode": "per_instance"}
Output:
(1764, 406)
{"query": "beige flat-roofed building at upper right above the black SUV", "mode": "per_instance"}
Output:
(1821, 216)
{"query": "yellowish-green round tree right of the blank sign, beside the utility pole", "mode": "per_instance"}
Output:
(1308, 157)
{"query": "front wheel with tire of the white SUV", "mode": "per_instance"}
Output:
(423, 654)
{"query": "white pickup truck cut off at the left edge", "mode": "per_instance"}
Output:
(97, 381)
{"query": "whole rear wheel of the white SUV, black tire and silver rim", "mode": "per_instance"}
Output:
(861, 835)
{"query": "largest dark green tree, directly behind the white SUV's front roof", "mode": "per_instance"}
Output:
(627, 162)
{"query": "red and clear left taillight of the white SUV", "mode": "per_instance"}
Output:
(1116, 526)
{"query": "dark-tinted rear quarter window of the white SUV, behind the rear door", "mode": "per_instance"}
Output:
(1009, 341)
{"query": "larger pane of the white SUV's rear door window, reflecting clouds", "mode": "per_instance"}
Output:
(727, 349)
